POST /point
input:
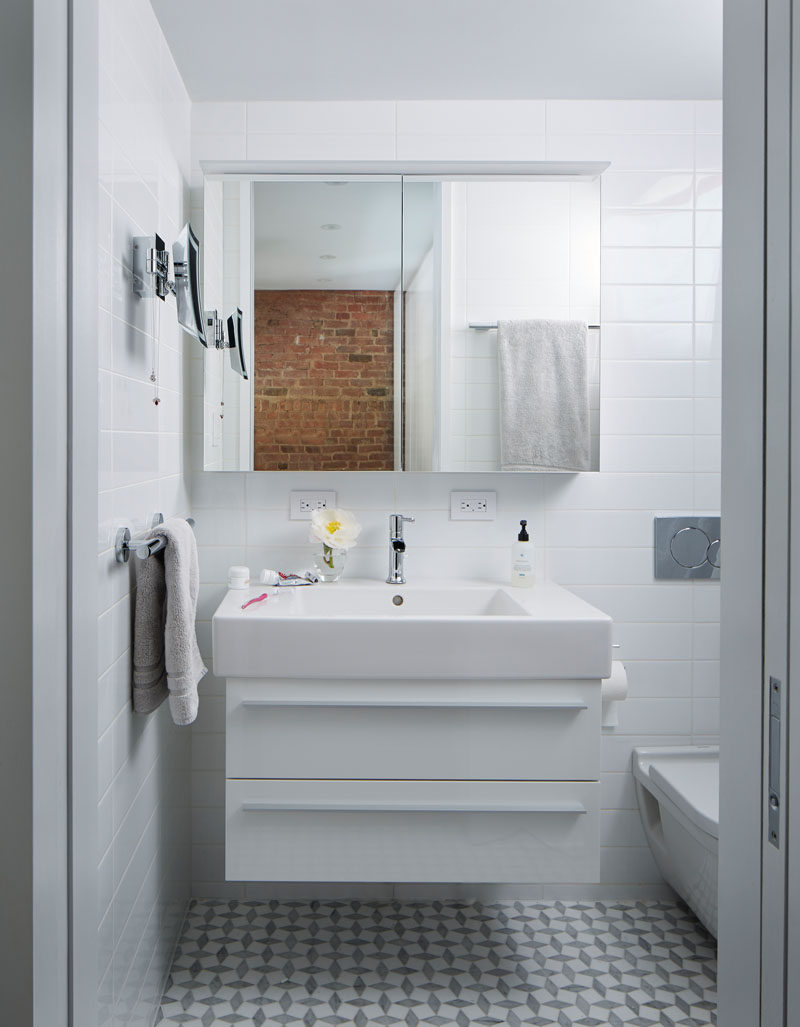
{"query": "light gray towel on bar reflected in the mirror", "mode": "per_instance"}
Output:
(544, 396)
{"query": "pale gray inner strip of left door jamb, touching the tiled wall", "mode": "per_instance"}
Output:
(83, 518)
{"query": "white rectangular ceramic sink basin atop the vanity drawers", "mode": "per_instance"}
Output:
(357, 630)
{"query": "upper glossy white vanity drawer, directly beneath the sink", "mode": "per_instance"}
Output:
(421, 731)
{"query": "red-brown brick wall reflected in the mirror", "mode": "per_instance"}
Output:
(324, 381)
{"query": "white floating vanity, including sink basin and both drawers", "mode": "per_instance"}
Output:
(440, 732)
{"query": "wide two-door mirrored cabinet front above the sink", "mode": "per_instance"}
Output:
(369, 323)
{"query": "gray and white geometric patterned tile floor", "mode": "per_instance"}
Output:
(554, 964)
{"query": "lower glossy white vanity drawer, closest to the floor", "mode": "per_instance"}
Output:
(412, 831)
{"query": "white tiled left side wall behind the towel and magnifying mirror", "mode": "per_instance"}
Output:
(143, 763)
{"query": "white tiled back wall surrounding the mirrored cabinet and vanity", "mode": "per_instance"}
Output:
(660, 409)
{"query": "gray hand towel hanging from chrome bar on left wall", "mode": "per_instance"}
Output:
(167, 660)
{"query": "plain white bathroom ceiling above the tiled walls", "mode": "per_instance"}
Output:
(446, 50)
